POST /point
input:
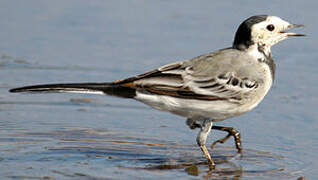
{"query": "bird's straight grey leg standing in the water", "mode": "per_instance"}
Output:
(201, 140)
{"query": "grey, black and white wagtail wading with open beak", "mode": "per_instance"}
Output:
(205, 89)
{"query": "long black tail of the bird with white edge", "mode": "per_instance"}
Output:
(91, 88)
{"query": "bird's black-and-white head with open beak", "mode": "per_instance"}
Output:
(264, 31)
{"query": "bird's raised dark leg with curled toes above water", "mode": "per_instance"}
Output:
(231, 132)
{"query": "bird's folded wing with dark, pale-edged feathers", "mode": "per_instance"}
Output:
(178, 80)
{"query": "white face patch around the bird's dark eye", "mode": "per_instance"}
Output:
(262, 34)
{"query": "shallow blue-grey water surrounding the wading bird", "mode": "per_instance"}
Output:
(75, 136)
